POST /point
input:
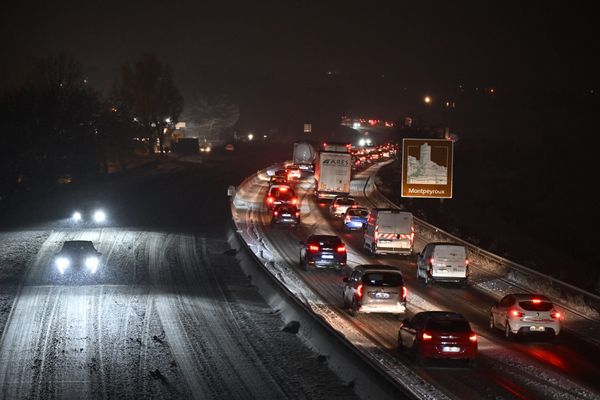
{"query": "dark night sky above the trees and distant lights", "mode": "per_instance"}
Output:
(374, 50)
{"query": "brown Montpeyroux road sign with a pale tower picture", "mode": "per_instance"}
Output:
(427, 166)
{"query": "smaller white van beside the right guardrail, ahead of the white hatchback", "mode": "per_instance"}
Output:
(443, 262)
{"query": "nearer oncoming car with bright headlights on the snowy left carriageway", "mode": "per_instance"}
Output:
(77, 256)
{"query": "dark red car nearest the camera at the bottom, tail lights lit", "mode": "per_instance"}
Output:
(438, 335)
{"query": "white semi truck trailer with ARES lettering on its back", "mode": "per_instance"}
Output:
(332, 174)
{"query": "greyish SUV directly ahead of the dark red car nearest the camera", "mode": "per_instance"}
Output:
(374, 288)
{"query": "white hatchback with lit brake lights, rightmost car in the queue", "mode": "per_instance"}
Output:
(525, 314)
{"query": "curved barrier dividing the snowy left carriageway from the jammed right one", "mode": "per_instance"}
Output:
(367, 378)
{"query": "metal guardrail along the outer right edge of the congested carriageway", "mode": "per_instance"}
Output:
(579, 301)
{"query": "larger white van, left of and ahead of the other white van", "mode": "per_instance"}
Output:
(389, 231)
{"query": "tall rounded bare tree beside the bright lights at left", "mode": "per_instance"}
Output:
(146, 91)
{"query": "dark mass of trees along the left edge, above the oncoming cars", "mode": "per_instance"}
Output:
(56, 127)
